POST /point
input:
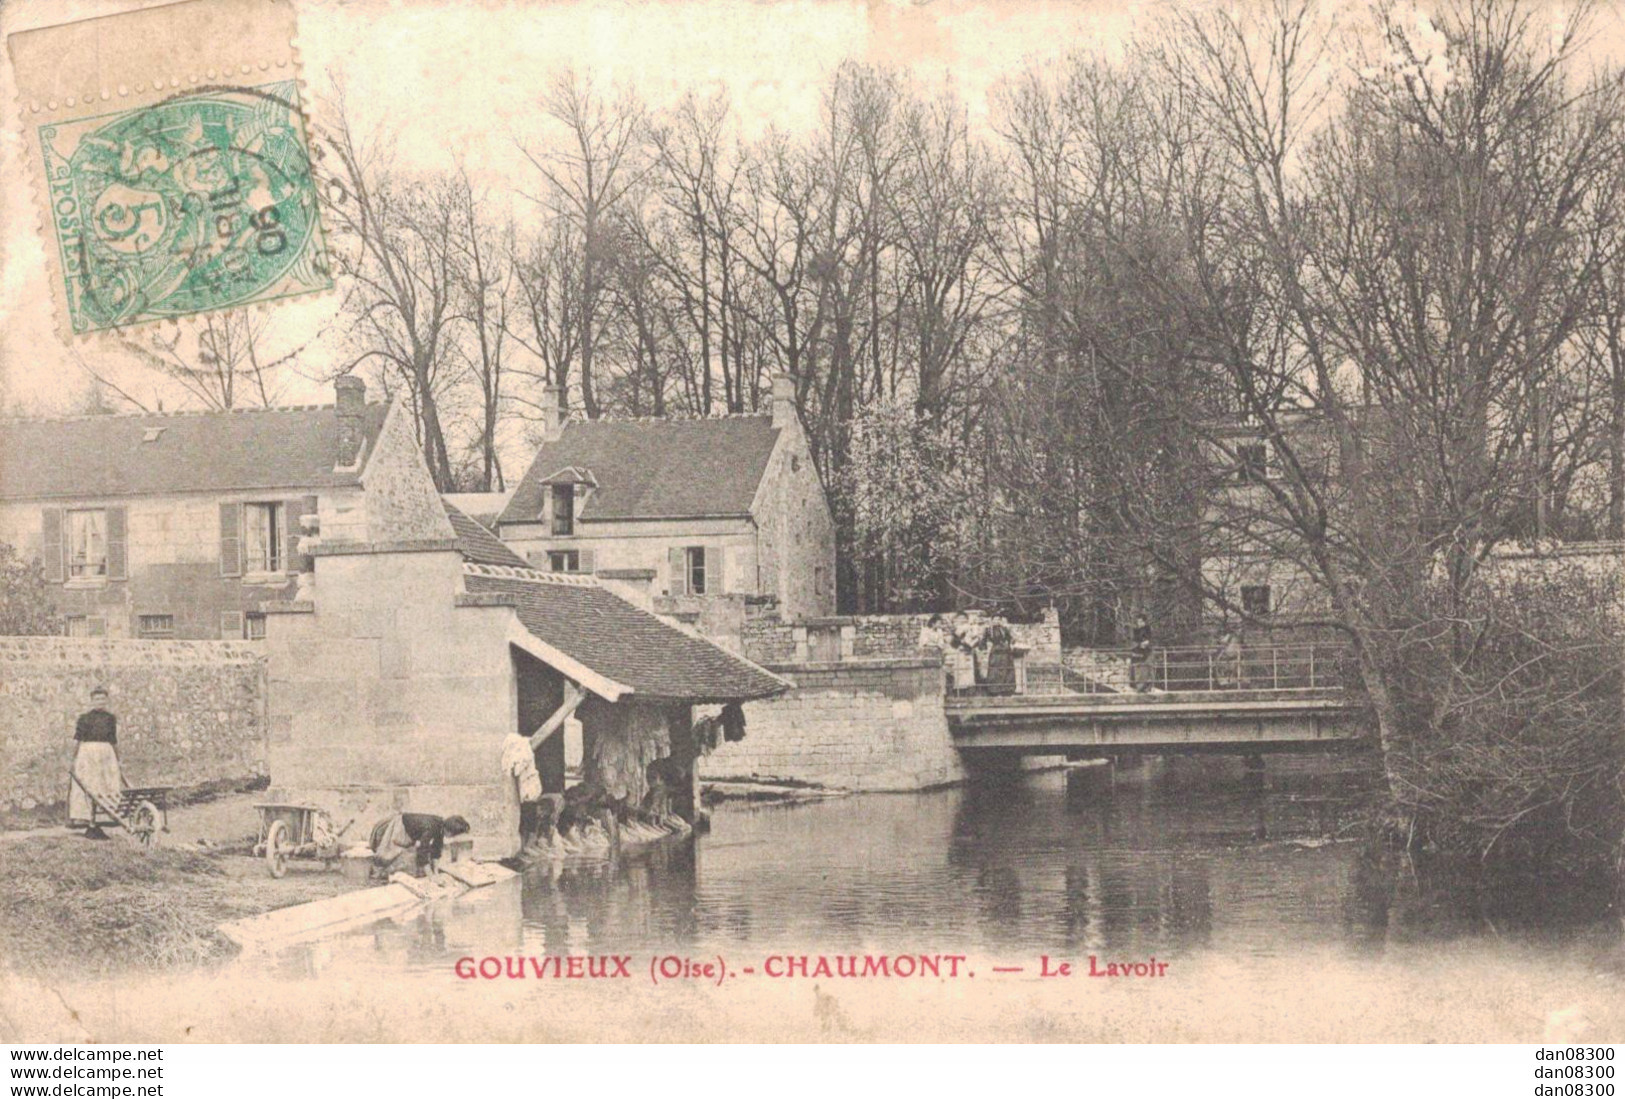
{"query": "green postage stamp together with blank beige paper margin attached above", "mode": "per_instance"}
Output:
(171, 162)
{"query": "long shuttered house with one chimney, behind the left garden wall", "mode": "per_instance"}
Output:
(180, 526)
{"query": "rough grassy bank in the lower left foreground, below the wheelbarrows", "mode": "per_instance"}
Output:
(84, 908)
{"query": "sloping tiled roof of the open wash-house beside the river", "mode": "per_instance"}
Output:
(620, 641)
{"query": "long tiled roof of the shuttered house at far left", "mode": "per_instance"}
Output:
(176, 453)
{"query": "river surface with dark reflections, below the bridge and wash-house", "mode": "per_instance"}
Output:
(1171, 858)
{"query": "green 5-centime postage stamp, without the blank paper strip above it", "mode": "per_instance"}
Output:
(202, 201)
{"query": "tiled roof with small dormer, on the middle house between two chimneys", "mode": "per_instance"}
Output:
(654, 469)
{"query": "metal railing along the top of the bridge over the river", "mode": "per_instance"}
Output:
(1301, 667)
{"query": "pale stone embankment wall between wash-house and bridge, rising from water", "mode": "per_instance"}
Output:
(856, 726)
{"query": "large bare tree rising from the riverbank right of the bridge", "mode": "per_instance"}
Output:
(1428, 254)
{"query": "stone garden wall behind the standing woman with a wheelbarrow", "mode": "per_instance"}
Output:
(191, 713)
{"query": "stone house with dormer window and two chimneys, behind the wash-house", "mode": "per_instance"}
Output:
(693, 510)
